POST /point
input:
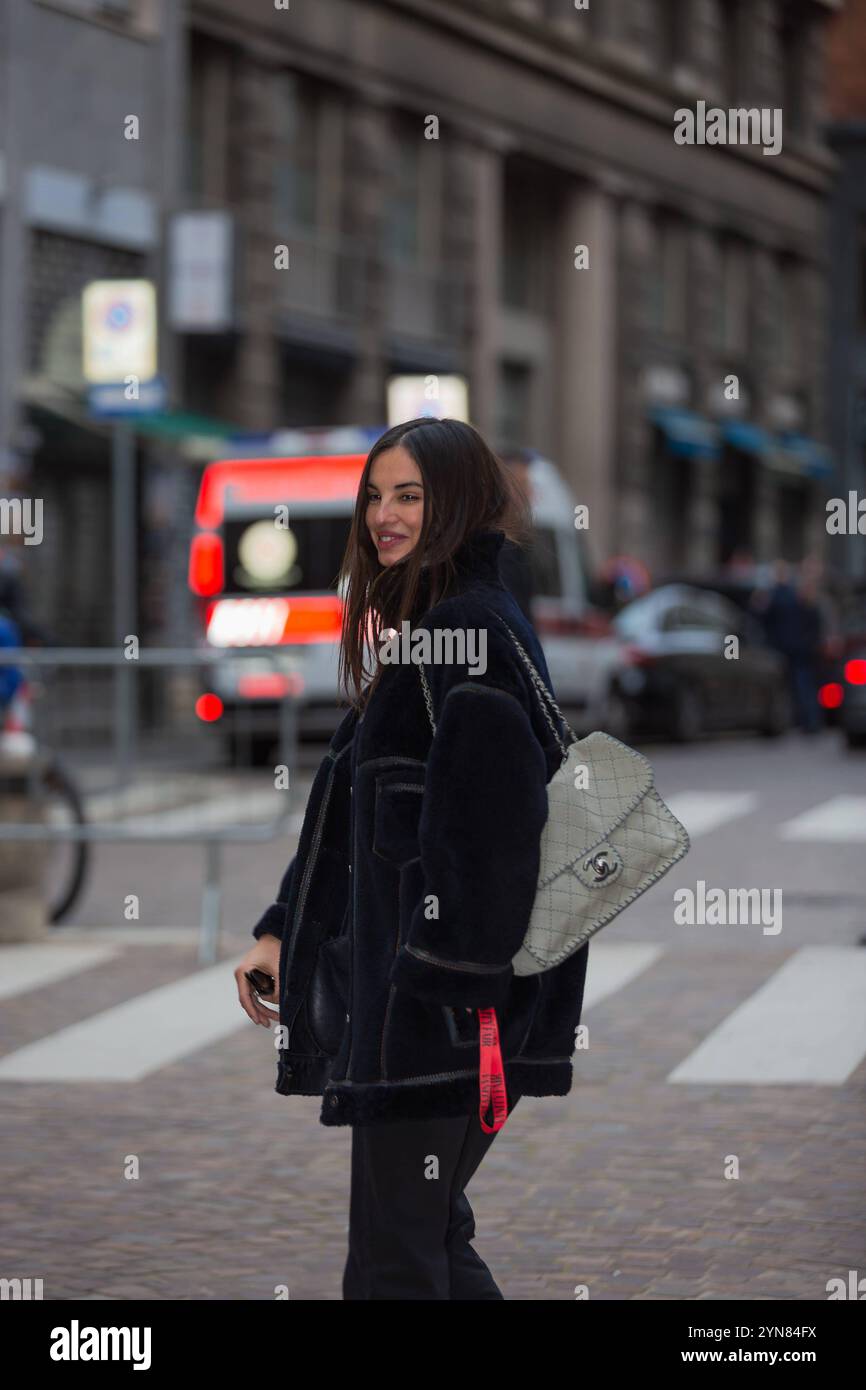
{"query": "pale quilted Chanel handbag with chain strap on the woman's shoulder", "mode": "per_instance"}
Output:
(604, 843)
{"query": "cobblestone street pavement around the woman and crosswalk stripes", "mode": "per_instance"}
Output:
(621, 1186)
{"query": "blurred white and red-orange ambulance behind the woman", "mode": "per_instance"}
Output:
(269, 540)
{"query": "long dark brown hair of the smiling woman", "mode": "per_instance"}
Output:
(466, 490)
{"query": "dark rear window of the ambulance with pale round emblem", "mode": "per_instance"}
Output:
(263, 558)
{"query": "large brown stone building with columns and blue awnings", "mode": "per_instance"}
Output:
(433, 170)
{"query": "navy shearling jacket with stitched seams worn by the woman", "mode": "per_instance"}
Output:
(415, 879)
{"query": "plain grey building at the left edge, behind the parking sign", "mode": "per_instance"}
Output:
(83, 197)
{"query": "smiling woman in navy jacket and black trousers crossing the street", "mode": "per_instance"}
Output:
(397, 924)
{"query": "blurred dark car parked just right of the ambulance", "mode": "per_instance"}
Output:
(676, 679)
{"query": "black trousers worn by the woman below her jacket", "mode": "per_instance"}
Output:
(409, 1231)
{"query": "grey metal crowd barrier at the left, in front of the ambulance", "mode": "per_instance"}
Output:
(69, 718)
